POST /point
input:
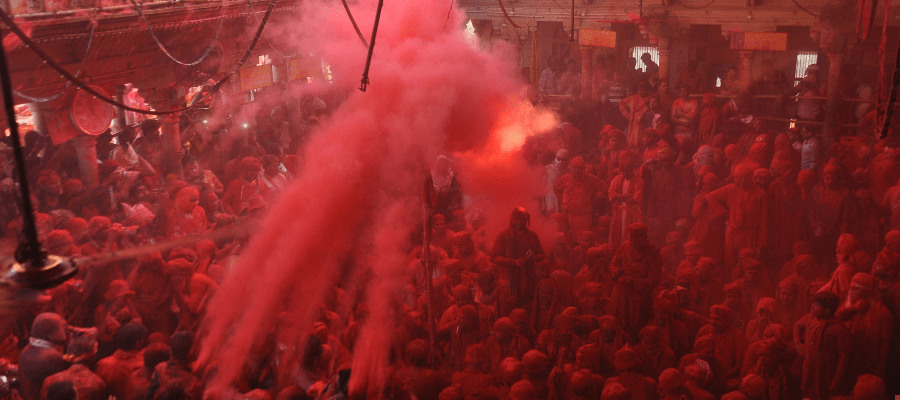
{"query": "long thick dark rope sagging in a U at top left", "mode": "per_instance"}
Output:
(37, 50)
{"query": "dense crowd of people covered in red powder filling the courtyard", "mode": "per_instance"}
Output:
(697, 252)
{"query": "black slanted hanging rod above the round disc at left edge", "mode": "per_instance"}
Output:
(30, 250)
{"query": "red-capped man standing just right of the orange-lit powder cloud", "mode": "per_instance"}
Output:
(581, 196)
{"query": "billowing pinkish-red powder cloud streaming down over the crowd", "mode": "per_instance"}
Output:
(431, 93)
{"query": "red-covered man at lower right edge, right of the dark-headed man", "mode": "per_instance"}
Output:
(870, 325)
